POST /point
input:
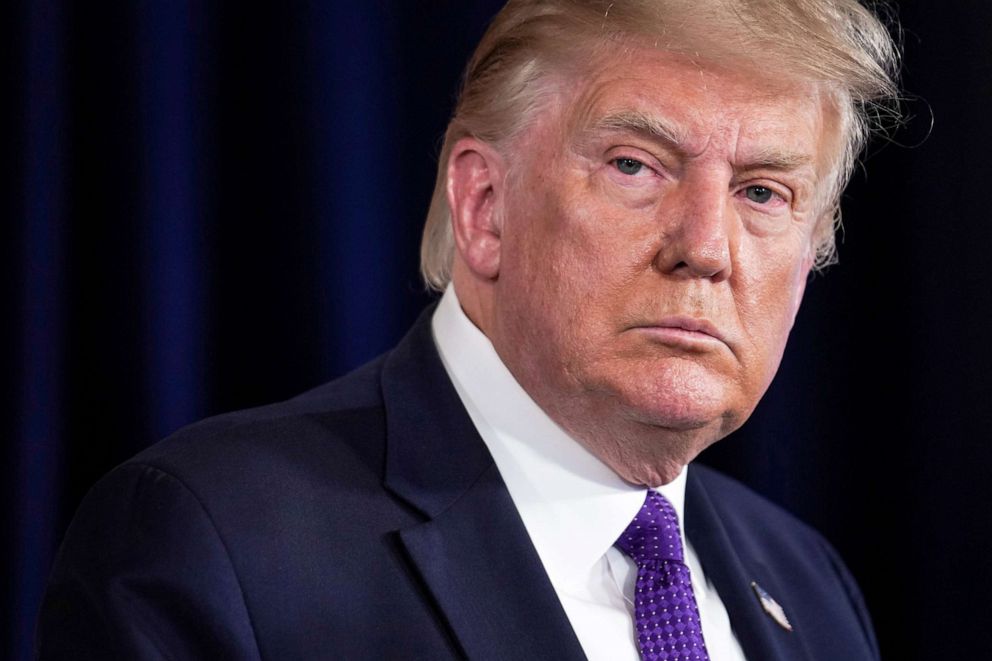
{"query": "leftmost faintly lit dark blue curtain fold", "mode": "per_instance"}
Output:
(41, 319)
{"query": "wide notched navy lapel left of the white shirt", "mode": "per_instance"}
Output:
(473, 551)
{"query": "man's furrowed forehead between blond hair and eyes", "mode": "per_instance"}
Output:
(705, 107)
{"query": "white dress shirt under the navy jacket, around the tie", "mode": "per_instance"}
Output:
(573, 506)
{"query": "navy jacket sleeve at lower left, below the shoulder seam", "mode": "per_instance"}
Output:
(144, 574)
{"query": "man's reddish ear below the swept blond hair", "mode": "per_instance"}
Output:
(475, 178)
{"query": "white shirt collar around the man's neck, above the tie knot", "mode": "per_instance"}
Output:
(573, 505)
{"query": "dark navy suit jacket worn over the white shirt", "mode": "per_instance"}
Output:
(367, 520)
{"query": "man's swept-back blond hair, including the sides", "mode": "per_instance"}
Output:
(532, 43)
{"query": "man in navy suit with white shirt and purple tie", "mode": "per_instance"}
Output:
(630, 198)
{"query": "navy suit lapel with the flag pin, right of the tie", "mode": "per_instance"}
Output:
(732, 573)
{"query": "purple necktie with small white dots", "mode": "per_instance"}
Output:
(665, 611)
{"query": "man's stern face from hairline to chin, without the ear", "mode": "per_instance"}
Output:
(655, 242)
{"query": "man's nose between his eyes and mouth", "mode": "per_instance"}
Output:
(698, 236)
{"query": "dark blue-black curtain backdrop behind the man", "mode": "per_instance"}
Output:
(209, 205)
